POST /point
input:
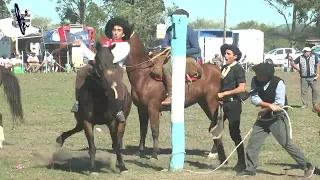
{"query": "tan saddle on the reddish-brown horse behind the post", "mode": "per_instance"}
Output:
(193, 69)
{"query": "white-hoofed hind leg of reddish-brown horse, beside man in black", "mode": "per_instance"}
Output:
(210, 110)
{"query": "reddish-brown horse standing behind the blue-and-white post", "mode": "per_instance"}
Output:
(147, 93)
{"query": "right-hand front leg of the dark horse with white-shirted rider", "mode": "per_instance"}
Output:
(116, 132)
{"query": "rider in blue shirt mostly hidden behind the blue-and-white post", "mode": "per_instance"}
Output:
(193, 50)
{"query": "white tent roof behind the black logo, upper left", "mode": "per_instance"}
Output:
(9, 30)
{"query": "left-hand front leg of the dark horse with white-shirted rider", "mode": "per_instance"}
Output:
(88, 129)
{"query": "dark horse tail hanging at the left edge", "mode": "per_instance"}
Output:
(11, 89)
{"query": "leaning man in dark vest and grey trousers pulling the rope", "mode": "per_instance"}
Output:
(269, 92)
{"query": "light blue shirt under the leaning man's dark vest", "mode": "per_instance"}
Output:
(280, 93)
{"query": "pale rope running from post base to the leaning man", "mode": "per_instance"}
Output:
(248, 133)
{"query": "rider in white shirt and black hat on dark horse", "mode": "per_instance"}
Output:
(120, 31)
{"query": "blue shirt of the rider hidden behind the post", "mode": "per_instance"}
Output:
(192, 41)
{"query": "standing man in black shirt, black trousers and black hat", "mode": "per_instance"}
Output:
(233, 85)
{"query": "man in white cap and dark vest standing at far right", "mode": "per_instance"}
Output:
(309, 73)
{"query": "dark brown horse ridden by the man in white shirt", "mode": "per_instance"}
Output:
(96, 105)
